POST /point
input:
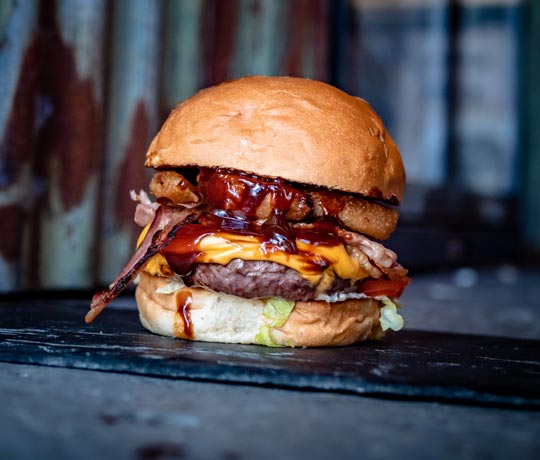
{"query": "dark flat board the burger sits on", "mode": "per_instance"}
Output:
(409, 365)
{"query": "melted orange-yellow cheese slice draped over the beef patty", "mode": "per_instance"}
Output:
(311, 261)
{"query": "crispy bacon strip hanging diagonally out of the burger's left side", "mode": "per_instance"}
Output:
(167, 221)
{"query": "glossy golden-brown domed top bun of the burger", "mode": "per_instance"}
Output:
(300, 130)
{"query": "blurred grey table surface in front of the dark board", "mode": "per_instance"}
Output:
(86, 415)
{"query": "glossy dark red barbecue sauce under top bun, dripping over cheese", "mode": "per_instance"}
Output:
(232, 200)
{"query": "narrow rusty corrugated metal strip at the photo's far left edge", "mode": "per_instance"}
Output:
(18, 80)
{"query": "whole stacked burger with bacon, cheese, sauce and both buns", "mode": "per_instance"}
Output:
(270, 198)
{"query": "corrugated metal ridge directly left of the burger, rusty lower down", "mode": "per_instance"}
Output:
(132, 121)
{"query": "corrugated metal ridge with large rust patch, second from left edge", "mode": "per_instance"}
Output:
(69, 149)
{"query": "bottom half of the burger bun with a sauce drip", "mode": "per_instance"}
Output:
(200, 314)
